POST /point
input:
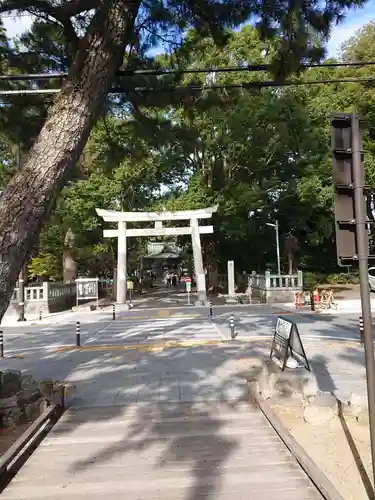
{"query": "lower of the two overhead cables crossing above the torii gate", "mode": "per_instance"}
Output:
(198, 88)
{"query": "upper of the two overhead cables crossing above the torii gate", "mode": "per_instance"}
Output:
(251, 68)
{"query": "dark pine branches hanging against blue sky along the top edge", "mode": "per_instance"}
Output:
(298, 30)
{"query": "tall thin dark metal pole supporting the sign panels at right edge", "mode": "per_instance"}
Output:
(361, 229)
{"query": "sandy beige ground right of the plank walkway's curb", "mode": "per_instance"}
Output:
(341, 450)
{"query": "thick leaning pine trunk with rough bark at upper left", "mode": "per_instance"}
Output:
(32, 192)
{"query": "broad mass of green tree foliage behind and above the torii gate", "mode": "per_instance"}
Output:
(265, 153)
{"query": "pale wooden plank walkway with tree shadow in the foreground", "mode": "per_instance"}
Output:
(157, 451)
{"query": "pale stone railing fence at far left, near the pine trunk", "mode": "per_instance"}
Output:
(47, 298)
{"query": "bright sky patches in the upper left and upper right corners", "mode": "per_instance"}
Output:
(355, 20)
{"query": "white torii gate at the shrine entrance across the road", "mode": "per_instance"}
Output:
(121, 233)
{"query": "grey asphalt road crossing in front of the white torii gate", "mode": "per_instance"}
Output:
(178, 323)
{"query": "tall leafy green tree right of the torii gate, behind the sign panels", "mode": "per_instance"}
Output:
(267, 153)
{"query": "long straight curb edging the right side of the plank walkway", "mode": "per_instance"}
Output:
(322, 483)
